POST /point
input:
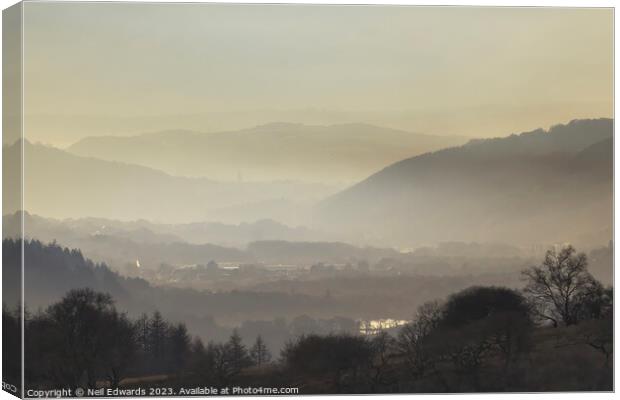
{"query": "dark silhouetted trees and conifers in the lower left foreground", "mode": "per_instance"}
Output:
(84, 341)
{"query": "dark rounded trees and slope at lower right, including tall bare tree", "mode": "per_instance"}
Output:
(482, 339)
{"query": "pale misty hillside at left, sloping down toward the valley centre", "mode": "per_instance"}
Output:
(59, 184)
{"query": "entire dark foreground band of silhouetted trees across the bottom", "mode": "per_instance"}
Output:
(478, 339)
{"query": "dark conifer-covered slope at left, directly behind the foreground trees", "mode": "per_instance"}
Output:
(53, 270)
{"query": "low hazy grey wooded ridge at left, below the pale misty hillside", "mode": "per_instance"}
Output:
(120, 244)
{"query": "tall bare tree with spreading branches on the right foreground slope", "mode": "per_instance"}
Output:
(556, 287)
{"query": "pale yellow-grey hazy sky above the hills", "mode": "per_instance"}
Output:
(125, 68)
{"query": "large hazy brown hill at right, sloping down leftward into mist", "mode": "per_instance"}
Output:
(537, 187)
